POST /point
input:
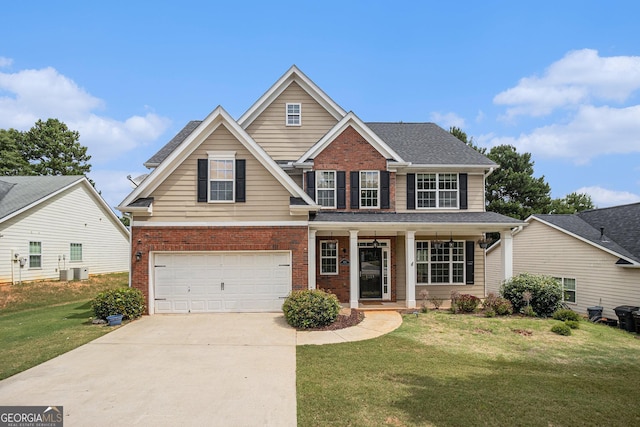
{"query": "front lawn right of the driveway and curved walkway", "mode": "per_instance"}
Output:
(453, 370)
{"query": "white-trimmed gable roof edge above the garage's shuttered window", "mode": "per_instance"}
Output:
(216, 118)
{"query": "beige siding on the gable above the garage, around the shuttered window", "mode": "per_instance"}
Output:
(176, 197)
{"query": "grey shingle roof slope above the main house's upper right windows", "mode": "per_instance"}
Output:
(428, 144)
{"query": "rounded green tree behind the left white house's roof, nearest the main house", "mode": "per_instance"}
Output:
(52, 149)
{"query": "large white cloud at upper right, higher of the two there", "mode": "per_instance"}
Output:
(580, 77)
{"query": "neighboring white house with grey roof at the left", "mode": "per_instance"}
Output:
(53, 223)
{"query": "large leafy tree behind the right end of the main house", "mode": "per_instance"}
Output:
(511, 189)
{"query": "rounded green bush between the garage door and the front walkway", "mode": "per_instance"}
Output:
(311, 308)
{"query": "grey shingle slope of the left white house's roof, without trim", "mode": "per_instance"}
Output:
(18, 192)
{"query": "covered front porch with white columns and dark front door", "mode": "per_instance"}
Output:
(384, 261)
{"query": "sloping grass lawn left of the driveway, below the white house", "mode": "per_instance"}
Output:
(41, 320)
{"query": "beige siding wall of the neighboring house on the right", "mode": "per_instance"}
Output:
(540, 249)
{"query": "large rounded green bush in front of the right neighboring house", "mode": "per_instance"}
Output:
(545, 293)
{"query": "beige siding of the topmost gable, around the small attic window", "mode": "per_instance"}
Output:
(283, 142)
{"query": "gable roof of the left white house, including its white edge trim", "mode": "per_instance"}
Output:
(20, 193)
